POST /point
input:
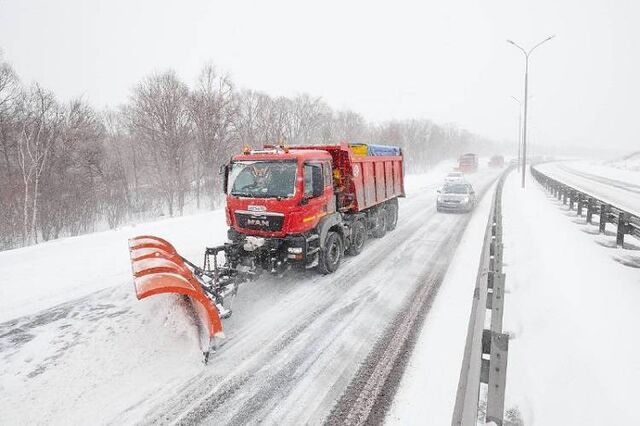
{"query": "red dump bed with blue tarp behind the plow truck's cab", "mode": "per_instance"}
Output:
(362, 181)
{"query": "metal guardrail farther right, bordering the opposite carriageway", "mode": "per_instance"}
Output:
(626, 223)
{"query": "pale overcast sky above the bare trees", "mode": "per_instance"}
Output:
(447, 60)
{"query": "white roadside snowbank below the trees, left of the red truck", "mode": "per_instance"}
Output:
(41, 276)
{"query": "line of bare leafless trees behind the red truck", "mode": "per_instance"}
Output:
(68, 169)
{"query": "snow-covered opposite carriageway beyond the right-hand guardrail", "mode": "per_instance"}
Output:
(618, 187)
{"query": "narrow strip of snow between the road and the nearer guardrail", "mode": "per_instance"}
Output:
(427, 392)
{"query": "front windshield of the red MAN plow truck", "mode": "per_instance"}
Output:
(263, 179)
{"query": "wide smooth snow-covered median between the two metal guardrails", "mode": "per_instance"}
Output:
(572, 312)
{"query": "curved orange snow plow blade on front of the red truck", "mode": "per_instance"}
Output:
(158, 268)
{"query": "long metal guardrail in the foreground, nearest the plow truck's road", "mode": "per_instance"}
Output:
(485, 353)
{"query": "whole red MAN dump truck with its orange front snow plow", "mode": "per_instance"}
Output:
(296, 207)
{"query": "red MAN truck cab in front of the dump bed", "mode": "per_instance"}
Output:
(275, 193)
